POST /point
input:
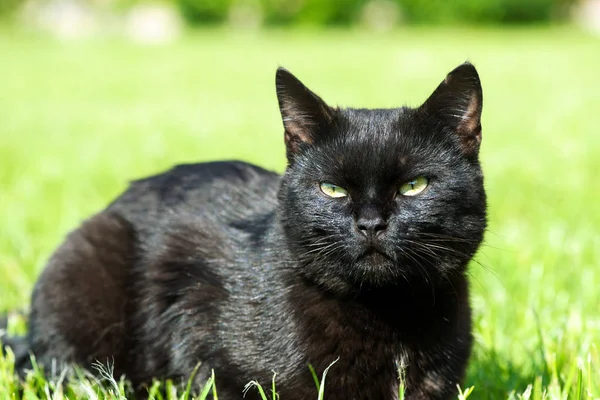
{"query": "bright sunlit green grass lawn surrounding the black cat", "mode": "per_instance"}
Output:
(79, 119)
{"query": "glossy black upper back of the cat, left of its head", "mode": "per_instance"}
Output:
(226, 191)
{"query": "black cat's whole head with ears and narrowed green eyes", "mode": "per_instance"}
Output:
(376, 197)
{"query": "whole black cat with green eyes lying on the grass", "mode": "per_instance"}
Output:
(358, 253)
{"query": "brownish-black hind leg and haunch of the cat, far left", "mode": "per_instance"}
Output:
(78, 306)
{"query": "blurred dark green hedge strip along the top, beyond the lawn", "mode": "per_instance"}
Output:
(342, 12)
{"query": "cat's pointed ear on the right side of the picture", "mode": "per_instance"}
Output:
(457, 103)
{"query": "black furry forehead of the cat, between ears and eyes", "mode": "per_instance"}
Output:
(376, 144)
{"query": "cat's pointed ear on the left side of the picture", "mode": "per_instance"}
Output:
(305, 116)
